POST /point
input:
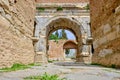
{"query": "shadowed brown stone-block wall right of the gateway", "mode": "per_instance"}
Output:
(105, 26)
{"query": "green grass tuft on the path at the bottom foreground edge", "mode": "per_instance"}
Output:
(45, 76)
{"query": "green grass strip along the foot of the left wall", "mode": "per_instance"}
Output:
(17, 66)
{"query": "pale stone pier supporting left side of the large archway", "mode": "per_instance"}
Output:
(40, 46)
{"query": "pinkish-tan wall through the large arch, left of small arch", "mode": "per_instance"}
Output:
(56, 51)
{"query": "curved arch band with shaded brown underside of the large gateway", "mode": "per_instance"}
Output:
(63, 22)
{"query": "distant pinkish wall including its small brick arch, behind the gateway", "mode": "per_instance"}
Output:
(56, 49)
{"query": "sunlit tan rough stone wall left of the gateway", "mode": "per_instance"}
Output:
(16, 30)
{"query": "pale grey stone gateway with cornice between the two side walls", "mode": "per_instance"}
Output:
(50, 17)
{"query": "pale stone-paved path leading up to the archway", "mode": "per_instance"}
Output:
(70, 70)
